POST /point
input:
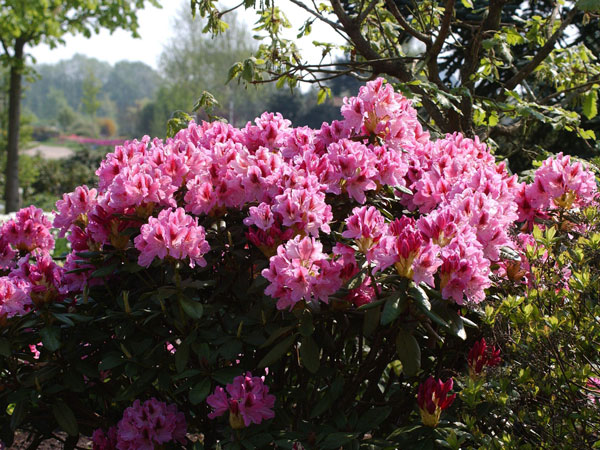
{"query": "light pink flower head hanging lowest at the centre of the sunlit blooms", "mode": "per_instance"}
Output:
(301, 270)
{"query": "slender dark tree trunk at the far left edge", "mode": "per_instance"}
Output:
(11, 188)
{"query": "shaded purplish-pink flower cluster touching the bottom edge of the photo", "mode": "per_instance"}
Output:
(144, 426)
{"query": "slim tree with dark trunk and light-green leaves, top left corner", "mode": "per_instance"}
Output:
(32, 22)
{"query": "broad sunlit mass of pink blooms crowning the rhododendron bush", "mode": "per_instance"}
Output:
(290, 182)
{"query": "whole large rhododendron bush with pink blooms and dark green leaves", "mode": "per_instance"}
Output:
(269, 286)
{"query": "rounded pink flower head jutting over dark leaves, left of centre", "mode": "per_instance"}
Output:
(173, 234)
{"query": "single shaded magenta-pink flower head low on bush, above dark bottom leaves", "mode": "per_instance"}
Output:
(247, 399)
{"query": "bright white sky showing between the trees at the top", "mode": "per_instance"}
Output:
(156, 27)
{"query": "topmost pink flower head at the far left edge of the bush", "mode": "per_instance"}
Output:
(30, 229)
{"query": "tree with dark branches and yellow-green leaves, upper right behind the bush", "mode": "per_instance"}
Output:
(502, 69)
